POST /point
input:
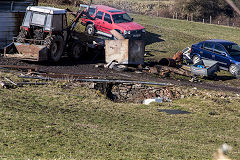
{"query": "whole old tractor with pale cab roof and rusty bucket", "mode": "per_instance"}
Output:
(45, 35)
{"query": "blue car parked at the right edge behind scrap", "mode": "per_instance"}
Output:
(226, 53)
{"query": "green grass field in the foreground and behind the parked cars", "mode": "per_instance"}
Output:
(59, 121)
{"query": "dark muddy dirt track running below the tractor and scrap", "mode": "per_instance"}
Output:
(68, 66)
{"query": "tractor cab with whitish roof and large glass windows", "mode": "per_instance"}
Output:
(39, 21)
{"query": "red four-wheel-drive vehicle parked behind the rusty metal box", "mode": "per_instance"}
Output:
(104, 19)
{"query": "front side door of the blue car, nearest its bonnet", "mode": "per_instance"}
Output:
(221, 56)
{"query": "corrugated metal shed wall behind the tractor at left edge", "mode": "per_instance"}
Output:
(11, 17)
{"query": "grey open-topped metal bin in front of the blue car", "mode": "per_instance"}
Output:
(205, 68)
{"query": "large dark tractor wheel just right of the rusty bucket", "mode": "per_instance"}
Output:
(56, 48)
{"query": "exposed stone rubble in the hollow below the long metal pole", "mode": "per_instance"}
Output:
(135, 93)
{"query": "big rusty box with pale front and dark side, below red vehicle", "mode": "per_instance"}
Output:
(125, 51)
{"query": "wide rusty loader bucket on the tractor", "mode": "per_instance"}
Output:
(31, 52)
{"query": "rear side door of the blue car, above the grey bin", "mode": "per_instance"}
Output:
(207, 51)
